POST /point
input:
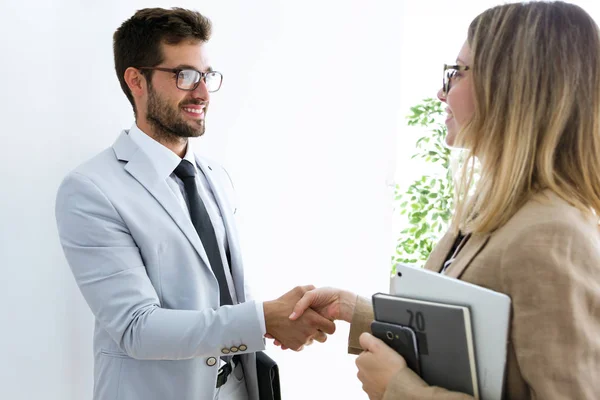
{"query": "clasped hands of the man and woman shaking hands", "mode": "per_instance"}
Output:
(305, 314)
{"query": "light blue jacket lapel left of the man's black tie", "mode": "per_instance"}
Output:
(140, 167)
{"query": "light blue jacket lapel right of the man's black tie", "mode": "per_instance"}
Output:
(236, 263)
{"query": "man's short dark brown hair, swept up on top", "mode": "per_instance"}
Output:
(137, 42)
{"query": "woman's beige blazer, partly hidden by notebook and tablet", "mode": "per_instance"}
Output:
(547, 259)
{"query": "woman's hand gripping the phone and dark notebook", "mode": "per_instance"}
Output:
(377, 364)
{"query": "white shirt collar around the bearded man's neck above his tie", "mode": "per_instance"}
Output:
(163, 159)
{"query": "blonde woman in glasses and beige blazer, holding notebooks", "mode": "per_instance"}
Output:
(524, 100)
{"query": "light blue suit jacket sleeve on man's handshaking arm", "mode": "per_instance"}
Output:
(111, 275)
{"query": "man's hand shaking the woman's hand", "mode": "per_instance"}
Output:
(294, 334)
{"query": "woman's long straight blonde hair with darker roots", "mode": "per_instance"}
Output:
(536, 124)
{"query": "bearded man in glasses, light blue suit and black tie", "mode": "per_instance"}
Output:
(147, 229)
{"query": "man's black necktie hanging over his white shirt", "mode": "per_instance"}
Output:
(201, 220)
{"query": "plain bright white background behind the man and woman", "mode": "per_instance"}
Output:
(309, 122)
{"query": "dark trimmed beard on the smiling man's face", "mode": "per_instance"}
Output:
(168, 122)
